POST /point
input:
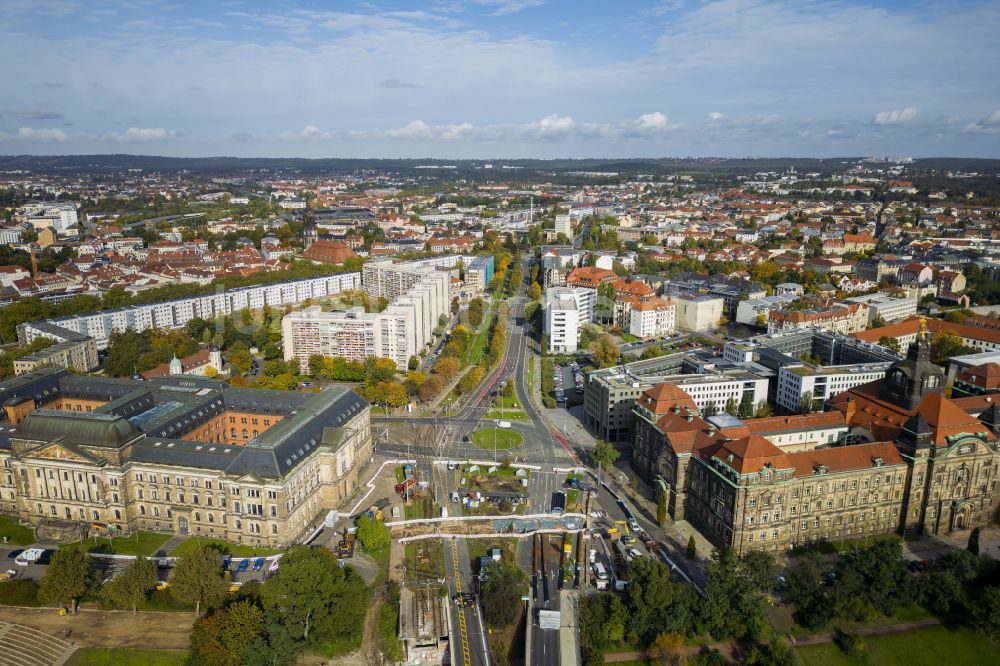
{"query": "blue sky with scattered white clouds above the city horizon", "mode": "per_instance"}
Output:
(492, 79)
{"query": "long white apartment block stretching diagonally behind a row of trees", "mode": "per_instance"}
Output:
(176, 313)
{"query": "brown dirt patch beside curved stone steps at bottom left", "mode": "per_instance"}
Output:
(96, 628)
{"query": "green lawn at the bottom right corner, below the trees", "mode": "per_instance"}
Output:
(931, 646)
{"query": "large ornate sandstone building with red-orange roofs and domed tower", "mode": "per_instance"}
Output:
(893, 455)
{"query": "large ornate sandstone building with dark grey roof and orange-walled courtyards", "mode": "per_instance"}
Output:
(179, 454)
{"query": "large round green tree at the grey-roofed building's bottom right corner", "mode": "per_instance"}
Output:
(313, 600)
